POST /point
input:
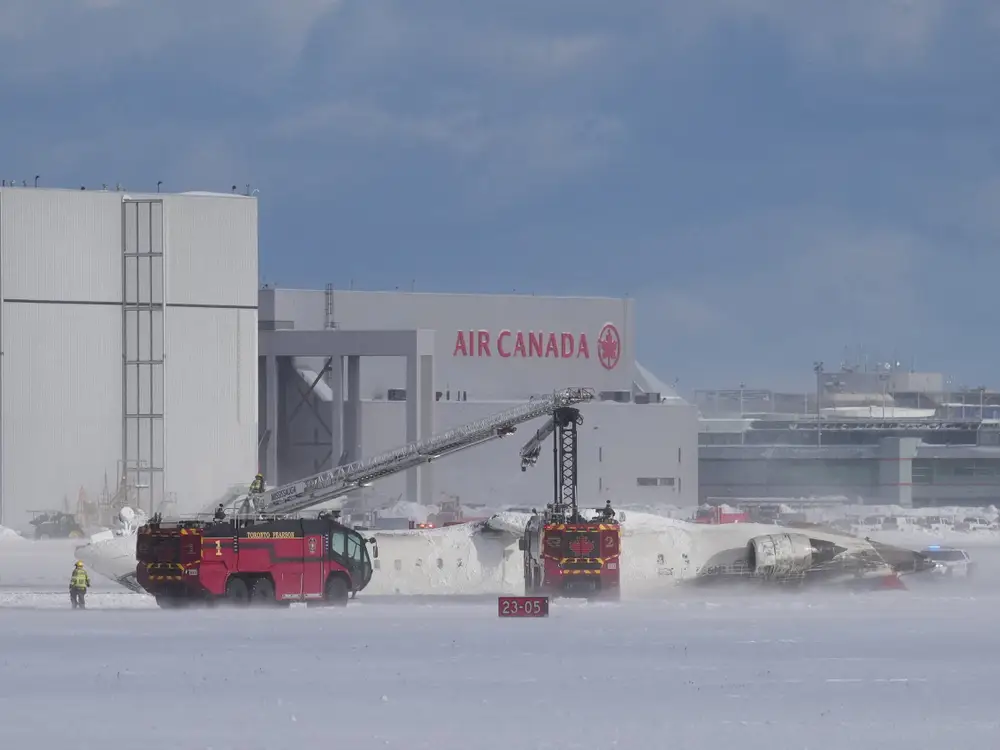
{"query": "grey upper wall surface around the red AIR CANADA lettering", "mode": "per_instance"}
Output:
(446, 314)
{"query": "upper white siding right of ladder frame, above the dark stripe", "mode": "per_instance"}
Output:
(211, 250)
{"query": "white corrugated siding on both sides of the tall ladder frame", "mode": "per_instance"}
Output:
(62, 393)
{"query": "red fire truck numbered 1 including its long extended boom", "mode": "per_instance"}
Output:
(265, 553)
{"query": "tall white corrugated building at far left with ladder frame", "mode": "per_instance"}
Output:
(129, 346)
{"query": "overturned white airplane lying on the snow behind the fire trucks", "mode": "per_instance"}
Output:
(657, 554)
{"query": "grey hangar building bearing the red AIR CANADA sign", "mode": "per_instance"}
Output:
(412, 364)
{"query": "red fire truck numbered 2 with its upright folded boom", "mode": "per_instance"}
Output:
(566, 554)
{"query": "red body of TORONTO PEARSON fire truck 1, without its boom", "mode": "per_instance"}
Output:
(258, 561)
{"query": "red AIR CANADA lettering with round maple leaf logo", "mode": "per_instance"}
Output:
(539, 345)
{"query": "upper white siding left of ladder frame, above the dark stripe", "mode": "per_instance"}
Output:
(61, 244)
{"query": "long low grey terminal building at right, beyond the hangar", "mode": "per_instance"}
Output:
(881, 435)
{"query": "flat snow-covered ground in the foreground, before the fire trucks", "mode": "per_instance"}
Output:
(824, 672)
